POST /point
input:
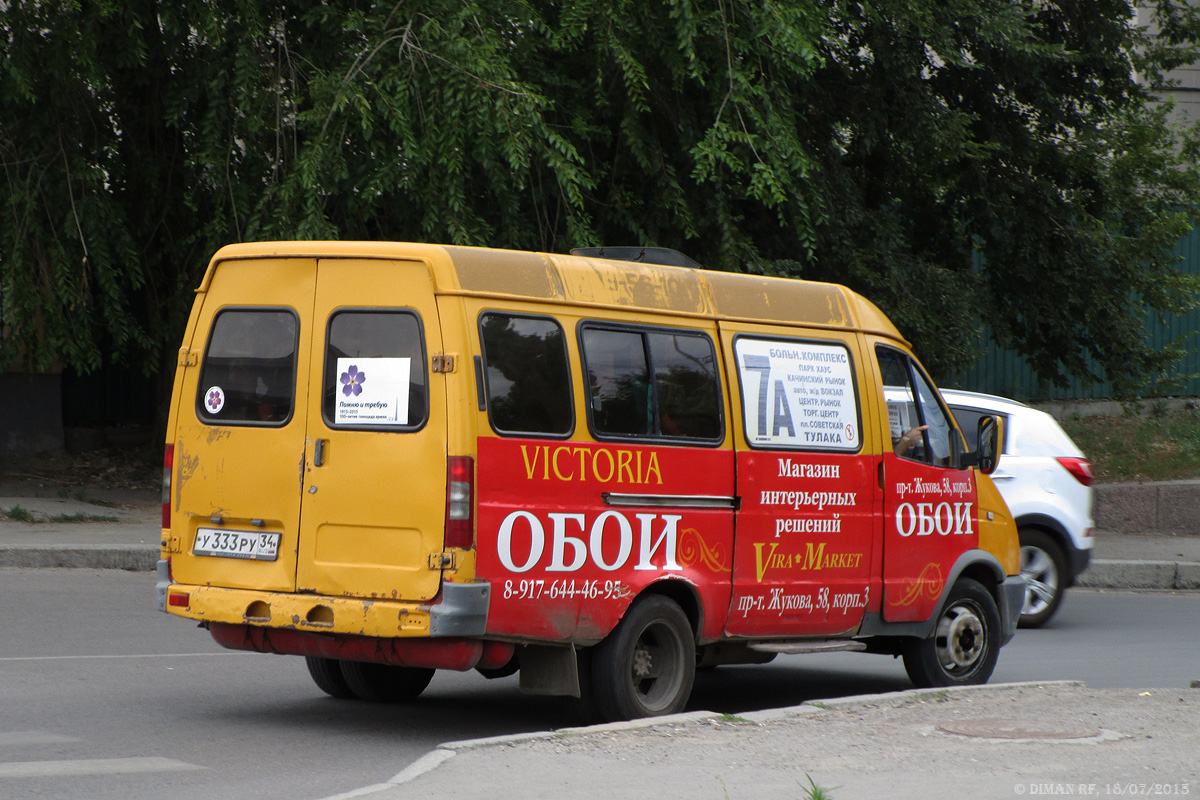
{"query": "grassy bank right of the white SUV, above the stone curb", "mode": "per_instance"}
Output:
(1153, 447)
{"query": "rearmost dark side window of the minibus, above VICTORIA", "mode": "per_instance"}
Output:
(527, 375)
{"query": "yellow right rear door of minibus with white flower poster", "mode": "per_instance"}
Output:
(375, 480)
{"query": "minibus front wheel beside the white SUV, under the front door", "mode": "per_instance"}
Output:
(965, 643)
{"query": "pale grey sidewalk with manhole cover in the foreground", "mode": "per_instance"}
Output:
(980, 742)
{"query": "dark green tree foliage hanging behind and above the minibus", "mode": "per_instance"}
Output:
(959, 164)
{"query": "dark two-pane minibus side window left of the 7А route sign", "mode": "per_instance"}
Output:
(652, 383)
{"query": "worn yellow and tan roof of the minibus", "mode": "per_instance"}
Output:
(603, 284)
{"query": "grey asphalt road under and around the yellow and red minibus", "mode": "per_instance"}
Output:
(104, 697)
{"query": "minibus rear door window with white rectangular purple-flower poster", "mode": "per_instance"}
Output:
(375, 371)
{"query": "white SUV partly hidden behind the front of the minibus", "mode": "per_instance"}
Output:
(1046, 480)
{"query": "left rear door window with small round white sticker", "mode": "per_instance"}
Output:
(249, 371)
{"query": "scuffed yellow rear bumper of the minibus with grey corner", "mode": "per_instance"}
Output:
(459, 611)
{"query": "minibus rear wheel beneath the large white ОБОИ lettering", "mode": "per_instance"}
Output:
(646, 667)
